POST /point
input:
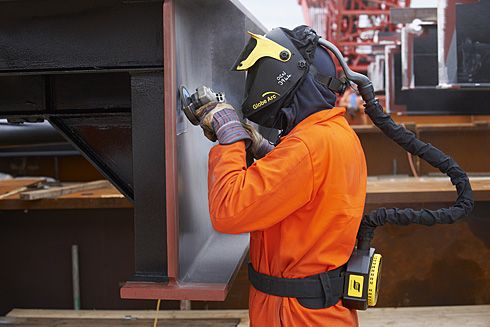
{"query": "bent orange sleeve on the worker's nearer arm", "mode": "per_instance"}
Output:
(243, 200)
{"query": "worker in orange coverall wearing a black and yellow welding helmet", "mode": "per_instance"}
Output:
(302, 200)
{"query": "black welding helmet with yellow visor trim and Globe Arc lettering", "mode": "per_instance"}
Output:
(276, 65)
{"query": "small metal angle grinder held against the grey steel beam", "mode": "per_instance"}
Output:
(202, 96)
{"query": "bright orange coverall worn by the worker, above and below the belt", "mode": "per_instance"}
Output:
(302, 204)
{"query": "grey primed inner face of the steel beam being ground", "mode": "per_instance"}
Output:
(206, 47)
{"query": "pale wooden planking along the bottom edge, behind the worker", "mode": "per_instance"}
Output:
(449, 316)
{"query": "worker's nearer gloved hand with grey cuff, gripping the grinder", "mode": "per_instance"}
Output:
(220, 122)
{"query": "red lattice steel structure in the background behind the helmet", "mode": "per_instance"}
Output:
(352, 25)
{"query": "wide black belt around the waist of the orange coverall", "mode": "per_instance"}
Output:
(316, 291)
